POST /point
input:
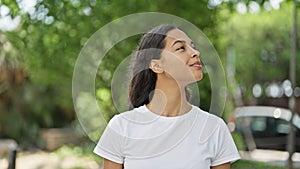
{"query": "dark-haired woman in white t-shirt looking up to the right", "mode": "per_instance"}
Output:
(162, 130)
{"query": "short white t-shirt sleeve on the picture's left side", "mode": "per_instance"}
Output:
(110, 143)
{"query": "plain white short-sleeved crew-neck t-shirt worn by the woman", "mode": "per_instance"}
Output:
(142, 139)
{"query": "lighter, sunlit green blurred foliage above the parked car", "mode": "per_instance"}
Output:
(260, 45)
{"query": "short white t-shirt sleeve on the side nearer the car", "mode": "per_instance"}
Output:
(225, 150)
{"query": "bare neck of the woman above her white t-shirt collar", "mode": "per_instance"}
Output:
(169, 99)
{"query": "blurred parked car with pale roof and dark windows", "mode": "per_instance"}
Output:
(264, 127)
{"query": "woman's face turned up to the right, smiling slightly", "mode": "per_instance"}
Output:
(179, 58)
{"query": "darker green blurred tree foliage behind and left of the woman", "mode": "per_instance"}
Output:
(46, 45)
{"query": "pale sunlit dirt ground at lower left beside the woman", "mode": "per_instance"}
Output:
(44, 160)
